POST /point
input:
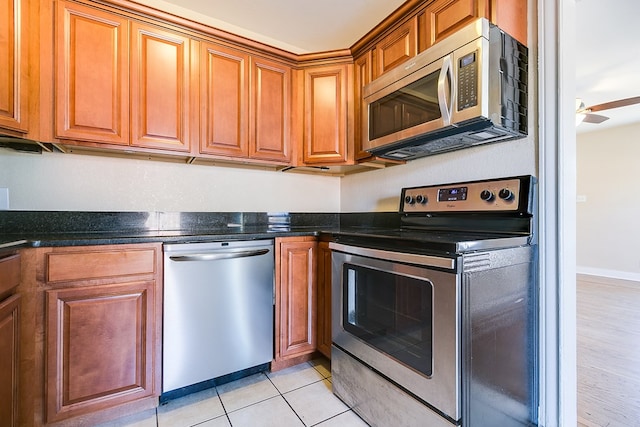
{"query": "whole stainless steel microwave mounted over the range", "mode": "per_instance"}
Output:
(468, 89)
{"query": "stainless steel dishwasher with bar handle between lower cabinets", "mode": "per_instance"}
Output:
(218, 313)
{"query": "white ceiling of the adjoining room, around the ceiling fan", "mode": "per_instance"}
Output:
(608, 58)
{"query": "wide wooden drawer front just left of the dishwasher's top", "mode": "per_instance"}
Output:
(88, 265)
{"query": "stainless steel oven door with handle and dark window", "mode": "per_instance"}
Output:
(400, 314)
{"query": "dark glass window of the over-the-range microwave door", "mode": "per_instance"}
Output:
(410, 106)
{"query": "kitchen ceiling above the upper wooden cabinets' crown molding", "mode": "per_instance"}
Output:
(297, 26)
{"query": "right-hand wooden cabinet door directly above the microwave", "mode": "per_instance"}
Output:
(444, 17)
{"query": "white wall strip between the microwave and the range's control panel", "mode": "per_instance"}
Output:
(380, 190)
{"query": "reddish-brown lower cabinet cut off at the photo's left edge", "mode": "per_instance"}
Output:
(9, 339)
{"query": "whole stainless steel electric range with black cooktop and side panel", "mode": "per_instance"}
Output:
(434, 323)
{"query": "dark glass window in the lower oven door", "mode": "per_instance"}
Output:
(392, 313)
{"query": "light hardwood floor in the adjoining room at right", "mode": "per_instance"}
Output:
(608, 346)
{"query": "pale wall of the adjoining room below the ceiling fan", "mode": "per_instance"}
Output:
(608, 172)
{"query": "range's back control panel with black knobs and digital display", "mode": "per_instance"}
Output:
(499, 195)
